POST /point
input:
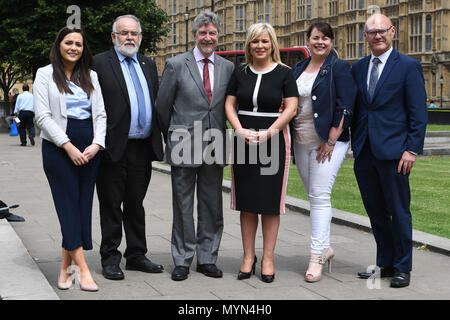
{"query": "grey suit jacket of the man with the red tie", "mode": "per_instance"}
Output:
(186, 117)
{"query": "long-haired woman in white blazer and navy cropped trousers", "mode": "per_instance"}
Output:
(70, 111)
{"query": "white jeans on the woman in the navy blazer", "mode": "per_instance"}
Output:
(318, 179)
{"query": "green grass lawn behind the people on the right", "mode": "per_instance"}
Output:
(430, 193)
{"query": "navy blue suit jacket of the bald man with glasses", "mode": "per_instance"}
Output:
(396, 118)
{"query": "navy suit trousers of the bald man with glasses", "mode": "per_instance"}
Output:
(386, 197)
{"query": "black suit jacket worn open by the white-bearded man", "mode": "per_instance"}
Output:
(117, 103)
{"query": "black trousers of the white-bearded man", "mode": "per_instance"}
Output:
(124, 185)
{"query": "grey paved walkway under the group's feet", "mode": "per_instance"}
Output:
(22, 181)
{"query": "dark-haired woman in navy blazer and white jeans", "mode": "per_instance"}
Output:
(321, 135)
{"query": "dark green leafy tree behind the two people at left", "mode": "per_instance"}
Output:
(28, 28)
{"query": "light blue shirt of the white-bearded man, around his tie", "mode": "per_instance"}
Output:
(136, 132)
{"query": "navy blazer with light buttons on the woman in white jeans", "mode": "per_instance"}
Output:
(333, 94)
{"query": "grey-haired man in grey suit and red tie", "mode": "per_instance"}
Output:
(190, 109)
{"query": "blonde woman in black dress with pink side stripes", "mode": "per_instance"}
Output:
(255, 94)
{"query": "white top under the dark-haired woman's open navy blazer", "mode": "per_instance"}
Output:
(305, 132)
